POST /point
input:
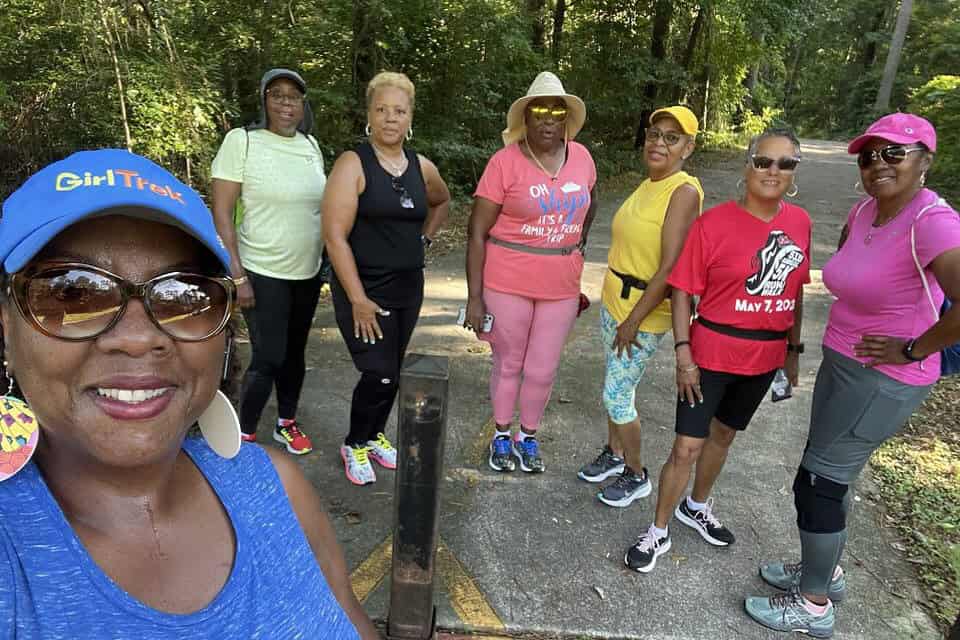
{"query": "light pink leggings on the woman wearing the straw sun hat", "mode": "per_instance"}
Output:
(527, 340)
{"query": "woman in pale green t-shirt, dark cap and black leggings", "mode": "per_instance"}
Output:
(275, 168)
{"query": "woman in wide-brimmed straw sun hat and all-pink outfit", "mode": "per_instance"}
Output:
(531, 215)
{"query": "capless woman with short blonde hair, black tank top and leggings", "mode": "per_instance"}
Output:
(382, 206)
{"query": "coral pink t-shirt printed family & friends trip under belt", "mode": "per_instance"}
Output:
(536, 211)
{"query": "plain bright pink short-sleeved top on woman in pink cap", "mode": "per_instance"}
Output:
(878, 287)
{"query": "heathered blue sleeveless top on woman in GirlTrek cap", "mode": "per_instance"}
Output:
(50, 587)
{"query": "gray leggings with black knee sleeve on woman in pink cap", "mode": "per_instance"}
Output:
(855, 410)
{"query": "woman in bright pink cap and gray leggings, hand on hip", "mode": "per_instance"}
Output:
(899, 256)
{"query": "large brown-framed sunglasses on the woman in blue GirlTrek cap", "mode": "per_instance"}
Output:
(75, 301)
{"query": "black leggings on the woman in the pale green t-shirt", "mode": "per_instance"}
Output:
(279, 325)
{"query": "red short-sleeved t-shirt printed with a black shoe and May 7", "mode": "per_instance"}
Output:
(748, 274)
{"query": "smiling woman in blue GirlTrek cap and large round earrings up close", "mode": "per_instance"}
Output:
(114, 523)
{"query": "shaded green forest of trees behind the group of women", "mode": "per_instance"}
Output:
(168, 77)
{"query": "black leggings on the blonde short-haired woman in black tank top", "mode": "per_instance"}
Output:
(379, 364)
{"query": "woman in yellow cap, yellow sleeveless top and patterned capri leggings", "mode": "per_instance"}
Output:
(648, 233)
